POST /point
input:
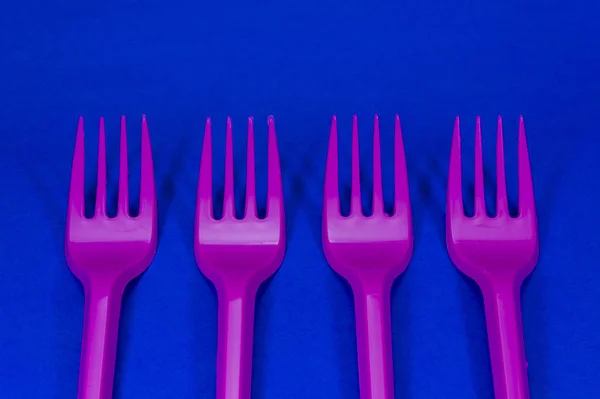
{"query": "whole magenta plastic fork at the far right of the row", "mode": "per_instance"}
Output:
(498, 253)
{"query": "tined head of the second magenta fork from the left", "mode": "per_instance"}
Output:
(246, 250)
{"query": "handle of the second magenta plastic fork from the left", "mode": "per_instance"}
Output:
(234, 343)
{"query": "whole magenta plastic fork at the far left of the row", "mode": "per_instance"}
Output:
(105, 254)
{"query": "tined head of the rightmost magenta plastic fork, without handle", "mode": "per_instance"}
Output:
(486, 247)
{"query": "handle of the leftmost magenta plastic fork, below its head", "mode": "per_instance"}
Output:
(99, 345)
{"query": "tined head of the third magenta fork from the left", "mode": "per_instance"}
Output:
(360, 247)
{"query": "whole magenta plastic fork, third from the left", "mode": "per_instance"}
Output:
(369, 252)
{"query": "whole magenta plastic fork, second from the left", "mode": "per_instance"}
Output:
(237, 255)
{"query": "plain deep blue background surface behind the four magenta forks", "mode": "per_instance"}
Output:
(180, 62)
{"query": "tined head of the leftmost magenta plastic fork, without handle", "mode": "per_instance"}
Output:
(114, 248)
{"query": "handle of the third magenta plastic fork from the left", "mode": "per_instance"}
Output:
(374, 340)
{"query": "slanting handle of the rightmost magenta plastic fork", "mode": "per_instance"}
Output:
(505, 335)
